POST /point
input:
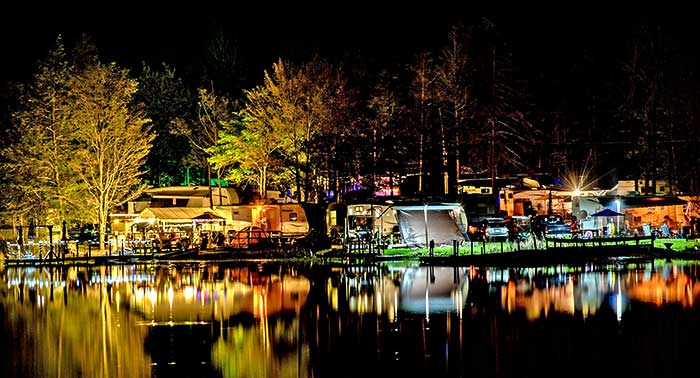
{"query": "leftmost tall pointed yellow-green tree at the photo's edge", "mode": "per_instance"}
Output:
(40, 184)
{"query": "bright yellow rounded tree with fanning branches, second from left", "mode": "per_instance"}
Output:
(113, 136)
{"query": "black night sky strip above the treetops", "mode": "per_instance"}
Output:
(546, 47)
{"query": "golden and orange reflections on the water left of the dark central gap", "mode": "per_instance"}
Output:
(141, 320)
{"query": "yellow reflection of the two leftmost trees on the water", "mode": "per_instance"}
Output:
(84, 338)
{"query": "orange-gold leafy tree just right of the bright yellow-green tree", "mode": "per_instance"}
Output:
(302, 104)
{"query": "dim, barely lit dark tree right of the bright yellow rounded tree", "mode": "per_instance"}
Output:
(165, 99)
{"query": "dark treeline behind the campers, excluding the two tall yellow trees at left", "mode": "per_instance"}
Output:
(415, 104)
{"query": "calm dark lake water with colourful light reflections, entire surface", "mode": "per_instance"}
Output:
(285, 320)
